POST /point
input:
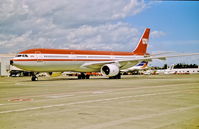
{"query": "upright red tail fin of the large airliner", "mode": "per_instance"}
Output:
(142, 45)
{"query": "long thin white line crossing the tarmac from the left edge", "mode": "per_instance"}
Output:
(85, 102)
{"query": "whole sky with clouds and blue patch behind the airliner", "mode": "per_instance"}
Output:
(114, 25)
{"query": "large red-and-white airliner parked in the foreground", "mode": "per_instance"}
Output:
(109, 63)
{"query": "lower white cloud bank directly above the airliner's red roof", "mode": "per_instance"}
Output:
(118, 36)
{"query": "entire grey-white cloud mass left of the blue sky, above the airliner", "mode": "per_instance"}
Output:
(88, 24)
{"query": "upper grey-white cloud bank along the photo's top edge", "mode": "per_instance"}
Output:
(67, 13)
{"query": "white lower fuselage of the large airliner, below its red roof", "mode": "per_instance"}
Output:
(66, 62)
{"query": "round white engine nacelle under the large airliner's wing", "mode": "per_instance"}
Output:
(110, 70)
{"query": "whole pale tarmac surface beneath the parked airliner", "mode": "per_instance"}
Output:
(133, 102)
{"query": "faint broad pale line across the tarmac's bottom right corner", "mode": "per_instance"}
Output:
(141, 117)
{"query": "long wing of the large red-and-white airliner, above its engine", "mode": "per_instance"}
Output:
(120, 63)
